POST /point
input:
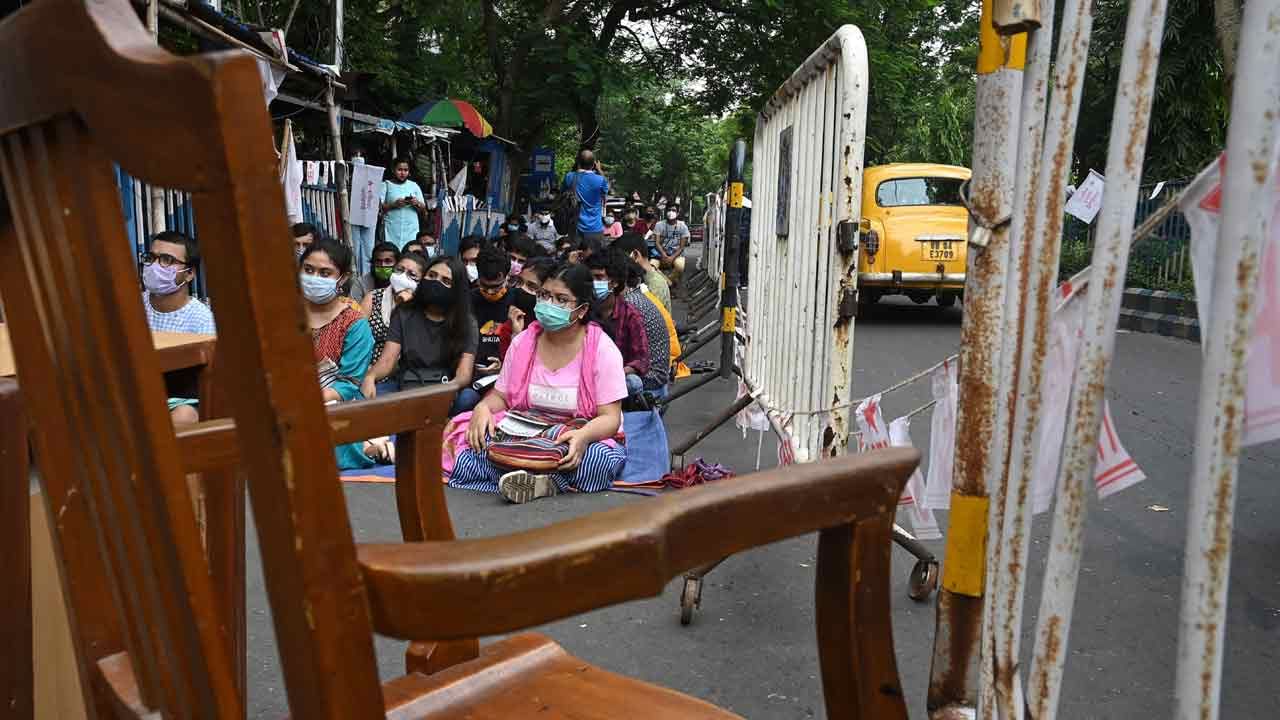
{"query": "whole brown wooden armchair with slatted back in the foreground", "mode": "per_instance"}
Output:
(83, 84)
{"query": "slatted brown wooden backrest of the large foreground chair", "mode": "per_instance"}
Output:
(84, 85)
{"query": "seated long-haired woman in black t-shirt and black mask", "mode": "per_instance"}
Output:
(433, 338)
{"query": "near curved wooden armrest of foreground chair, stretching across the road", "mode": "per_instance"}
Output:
(432, 590)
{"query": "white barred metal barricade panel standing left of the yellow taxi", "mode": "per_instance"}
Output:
(807, 184)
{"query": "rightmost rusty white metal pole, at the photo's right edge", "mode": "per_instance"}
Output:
(1249, 203)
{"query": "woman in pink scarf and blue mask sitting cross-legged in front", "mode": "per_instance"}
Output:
(564, 367)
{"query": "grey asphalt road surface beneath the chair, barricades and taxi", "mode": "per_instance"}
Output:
(752, 648)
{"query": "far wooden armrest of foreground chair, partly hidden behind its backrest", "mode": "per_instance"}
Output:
(213, 446)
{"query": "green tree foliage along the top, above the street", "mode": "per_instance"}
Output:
(662, 88)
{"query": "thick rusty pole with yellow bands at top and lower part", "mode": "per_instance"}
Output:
(956, 646)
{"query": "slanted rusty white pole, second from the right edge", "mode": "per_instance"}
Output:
(1126, 153)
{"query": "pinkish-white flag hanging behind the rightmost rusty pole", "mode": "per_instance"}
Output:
(1203, 206)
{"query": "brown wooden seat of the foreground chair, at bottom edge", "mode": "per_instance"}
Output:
(528, 676)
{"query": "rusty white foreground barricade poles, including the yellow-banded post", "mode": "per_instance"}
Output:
(1016, 231)
